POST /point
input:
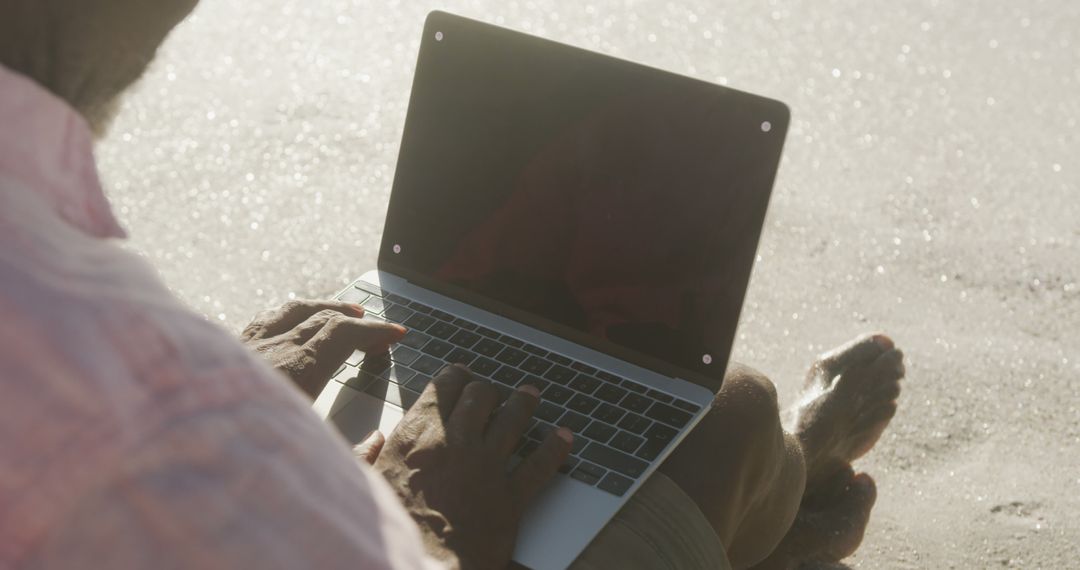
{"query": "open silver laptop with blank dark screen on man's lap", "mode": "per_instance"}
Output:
(573, 221)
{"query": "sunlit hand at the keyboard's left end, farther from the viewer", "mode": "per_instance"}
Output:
(309, 341)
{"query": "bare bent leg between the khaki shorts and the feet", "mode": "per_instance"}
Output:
(746, 474)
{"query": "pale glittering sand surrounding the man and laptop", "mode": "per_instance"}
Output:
(929, 191)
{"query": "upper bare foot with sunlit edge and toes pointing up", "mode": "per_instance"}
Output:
(849, 399)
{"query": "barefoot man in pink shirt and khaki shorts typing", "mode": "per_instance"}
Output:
(134, 433)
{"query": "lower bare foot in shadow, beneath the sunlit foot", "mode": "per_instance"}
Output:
(831, 528)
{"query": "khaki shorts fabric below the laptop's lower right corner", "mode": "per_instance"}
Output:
(660, 528)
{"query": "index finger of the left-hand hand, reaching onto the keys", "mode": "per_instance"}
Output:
(343, 335)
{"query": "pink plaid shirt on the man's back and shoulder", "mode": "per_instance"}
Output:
(133, 433)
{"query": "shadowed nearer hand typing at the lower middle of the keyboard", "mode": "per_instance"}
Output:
(448, 460)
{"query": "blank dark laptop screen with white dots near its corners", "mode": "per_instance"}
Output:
(599, 200)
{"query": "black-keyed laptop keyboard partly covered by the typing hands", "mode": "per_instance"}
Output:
(620, 427)
